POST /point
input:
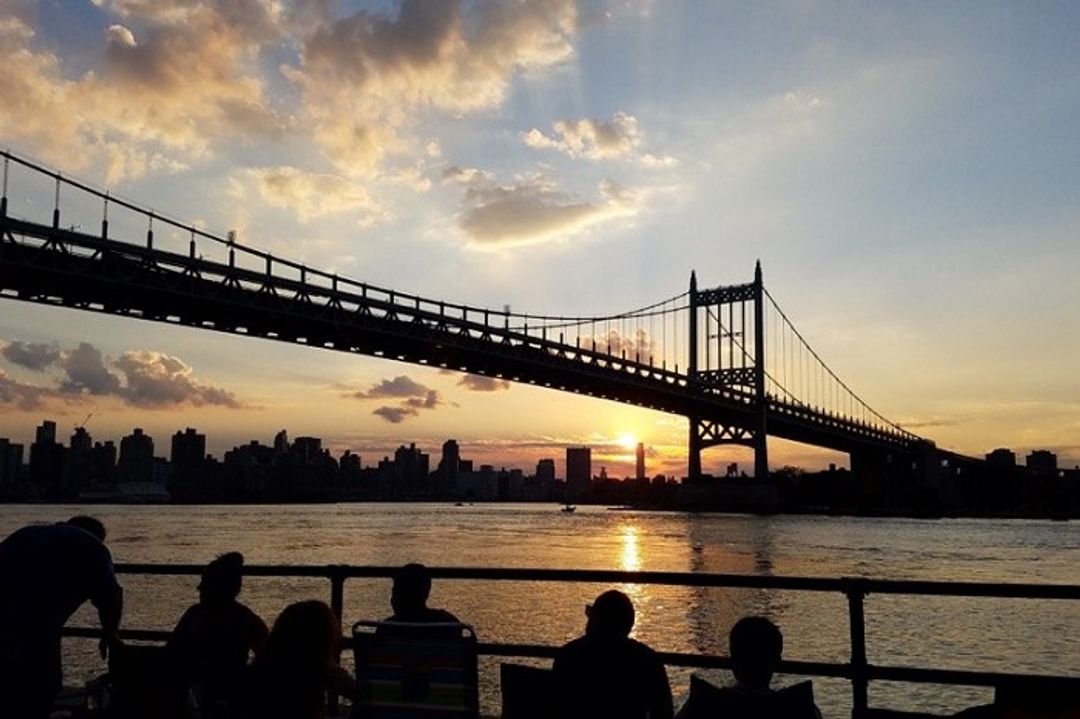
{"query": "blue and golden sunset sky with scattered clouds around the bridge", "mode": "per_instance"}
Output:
(908, 173)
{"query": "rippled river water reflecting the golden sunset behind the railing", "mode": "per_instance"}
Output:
(1011, 635)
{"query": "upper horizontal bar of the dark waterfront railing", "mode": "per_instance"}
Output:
(845, 586)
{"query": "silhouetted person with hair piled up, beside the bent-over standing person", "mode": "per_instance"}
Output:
(211, 645)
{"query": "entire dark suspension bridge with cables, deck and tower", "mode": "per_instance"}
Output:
(727, 358)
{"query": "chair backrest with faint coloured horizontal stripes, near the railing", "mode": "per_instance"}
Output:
(416, 670)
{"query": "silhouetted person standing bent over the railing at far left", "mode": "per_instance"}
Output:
(47, 573)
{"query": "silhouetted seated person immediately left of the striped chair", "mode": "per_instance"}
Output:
(296, 669)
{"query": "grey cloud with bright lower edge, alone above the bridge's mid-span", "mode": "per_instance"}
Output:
(533, 210)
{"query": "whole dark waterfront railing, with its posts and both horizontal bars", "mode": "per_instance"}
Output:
(858, 670)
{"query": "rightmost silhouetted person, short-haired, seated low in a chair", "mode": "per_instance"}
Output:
(755, 645)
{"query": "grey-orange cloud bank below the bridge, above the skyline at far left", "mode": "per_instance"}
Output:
(139, 378)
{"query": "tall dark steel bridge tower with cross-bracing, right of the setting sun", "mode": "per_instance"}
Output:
(727, 352)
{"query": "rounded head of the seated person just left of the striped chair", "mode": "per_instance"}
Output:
(305, 636)
